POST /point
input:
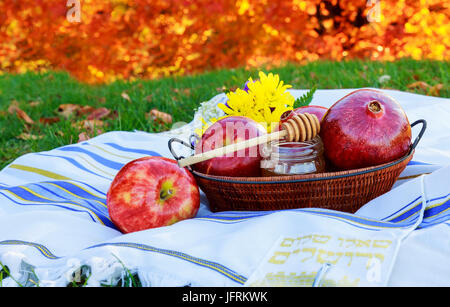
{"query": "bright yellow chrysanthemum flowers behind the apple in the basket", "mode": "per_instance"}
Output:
(264, 102)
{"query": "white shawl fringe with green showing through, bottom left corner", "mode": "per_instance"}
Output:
(95, 272)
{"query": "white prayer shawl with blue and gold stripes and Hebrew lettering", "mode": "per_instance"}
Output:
(54, 221)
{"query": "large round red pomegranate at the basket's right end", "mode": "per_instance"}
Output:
(365, 128)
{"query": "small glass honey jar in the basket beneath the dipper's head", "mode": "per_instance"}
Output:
(293, 158)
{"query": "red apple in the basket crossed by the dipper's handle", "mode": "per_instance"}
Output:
(229, 130)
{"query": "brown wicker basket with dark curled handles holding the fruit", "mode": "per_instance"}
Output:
(344, 191)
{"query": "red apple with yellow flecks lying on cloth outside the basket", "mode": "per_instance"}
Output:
(152, 192)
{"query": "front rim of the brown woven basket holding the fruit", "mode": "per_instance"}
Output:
(305, 177)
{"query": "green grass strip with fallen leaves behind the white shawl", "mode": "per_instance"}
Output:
(179, 96)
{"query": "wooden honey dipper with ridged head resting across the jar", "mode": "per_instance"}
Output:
(299, 128)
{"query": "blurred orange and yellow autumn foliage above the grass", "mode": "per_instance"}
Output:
(124, 39)
